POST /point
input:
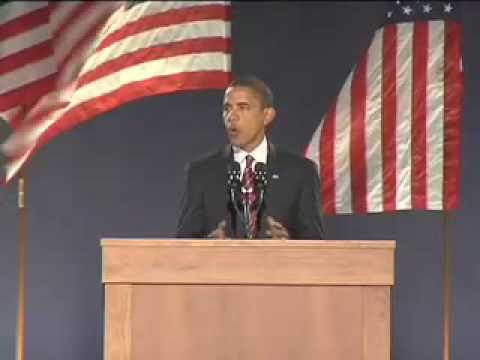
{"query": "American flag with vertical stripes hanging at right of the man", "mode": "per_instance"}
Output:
(391, 139)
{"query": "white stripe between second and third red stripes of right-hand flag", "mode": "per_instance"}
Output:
(373, 127)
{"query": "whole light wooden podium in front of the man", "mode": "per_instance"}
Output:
(247, 299)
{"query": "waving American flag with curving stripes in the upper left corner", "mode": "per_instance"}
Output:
(63, 63)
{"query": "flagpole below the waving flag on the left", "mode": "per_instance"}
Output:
(22, 197)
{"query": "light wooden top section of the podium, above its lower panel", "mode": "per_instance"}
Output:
(288, 262)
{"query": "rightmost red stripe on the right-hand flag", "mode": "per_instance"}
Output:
(453, 114)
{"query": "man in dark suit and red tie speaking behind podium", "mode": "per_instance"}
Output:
(291, 205)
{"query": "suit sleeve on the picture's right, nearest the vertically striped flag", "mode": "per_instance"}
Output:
(309, 222)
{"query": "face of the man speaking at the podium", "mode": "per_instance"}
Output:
(245, 117)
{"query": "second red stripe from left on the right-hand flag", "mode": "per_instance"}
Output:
(357, 151)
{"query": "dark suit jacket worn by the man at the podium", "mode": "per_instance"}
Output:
(291, 197)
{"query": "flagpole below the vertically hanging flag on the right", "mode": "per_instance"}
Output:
(447, 288)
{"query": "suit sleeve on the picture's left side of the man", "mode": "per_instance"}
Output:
(191, 222)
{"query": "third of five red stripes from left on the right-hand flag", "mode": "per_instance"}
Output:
(389, 119)
